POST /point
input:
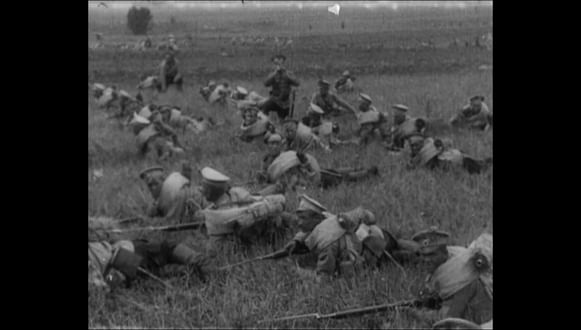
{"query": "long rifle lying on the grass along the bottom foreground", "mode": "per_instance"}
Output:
(354, 311)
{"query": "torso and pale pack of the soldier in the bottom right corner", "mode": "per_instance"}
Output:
(464, 284)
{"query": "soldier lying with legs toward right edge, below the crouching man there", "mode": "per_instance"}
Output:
(432, 153)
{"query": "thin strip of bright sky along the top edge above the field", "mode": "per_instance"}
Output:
(299, 4)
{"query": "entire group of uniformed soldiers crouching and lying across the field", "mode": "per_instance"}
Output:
(458, 292)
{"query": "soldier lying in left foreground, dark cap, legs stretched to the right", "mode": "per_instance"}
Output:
(116, 263)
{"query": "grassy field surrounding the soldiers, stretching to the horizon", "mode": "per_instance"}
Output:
(403, 201)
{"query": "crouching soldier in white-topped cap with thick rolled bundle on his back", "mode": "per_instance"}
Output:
(233, 211)
